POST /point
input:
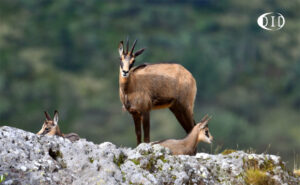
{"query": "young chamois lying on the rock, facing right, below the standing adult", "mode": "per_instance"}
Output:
(188, 145)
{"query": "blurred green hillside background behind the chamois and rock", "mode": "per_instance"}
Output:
(63, 55)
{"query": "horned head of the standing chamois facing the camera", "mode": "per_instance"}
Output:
(127, 57)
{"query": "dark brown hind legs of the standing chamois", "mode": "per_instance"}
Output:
(184, 117)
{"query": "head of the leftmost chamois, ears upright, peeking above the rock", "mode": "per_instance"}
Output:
(50, 127)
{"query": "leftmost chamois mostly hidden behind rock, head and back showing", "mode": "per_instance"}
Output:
(50, 128)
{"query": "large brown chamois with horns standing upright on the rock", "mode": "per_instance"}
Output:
(155, 86)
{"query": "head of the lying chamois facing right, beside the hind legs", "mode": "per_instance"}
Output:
(204, 134)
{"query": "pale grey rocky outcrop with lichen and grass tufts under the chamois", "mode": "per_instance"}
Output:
(26, 158)
